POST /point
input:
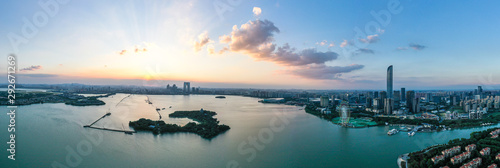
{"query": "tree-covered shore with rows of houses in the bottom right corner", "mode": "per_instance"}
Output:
(480, 150)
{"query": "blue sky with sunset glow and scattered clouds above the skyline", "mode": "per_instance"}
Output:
(255, 44)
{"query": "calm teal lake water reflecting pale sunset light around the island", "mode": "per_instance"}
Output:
(49, 134)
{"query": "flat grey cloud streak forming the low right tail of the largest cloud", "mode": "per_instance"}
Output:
(323, 71)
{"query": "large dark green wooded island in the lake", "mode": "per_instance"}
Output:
(206, 126)
